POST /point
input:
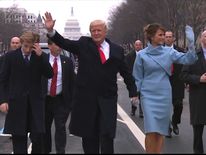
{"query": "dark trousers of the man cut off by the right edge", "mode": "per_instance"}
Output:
(197, 141)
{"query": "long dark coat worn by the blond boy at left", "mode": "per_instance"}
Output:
(18, 82)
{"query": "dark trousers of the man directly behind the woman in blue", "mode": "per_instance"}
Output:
(177, 110)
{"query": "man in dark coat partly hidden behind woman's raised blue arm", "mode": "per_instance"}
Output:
(178, 86)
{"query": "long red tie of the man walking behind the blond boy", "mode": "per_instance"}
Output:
(54, 79)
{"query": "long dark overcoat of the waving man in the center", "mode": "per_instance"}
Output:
(96, 86)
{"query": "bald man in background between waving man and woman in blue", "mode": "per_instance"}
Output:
(130, 58)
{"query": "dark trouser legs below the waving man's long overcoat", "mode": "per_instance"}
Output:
(103, 145)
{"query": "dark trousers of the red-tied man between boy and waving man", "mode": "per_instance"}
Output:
(58, 112)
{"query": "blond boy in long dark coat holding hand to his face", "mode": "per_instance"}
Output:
(20, 91)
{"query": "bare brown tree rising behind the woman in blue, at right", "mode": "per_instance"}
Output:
(128, 20)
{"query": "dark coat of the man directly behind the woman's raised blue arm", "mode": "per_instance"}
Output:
(178, 86)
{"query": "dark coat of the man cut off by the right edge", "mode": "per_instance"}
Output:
(197, 91)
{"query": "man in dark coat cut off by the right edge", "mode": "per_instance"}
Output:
(195, 76)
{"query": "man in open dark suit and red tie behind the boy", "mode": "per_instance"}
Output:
(58, 105)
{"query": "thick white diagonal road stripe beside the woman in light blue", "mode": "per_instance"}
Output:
(139, 135)
